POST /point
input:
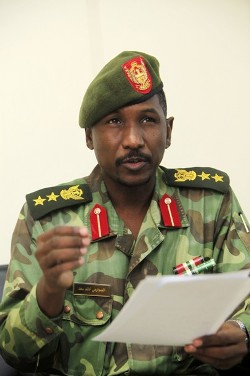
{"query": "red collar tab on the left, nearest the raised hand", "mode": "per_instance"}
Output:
(99, 222)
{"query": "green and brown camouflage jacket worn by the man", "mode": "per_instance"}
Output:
(210, 225)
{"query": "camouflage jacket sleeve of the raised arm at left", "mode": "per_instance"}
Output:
(27, 336)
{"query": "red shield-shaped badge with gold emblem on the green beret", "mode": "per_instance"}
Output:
(138, 75)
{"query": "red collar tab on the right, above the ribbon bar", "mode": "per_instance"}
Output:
(169, 211)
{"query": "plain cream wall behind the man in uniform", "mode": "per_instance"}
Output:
(50, 51)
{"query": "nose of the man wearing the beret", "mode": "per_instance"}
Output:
(132, 136)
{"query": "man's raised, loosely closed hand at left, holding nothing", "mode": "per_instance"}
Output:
(59, 252)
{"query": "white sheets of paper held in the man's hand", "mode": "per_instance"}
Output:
(174, 310)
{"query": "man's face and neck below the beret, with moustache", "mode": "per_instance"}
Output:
(129, 145)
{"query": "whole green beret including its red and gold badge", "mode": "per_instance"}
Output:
(129, 78)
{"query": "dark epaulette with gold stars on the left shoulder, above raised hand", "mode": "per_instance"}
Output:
(49, 199)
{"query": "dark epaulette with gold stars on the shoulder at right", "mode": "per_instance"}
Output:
(197, 177)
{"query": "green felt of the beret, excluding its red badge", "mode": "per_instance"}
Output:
(111, 90)
